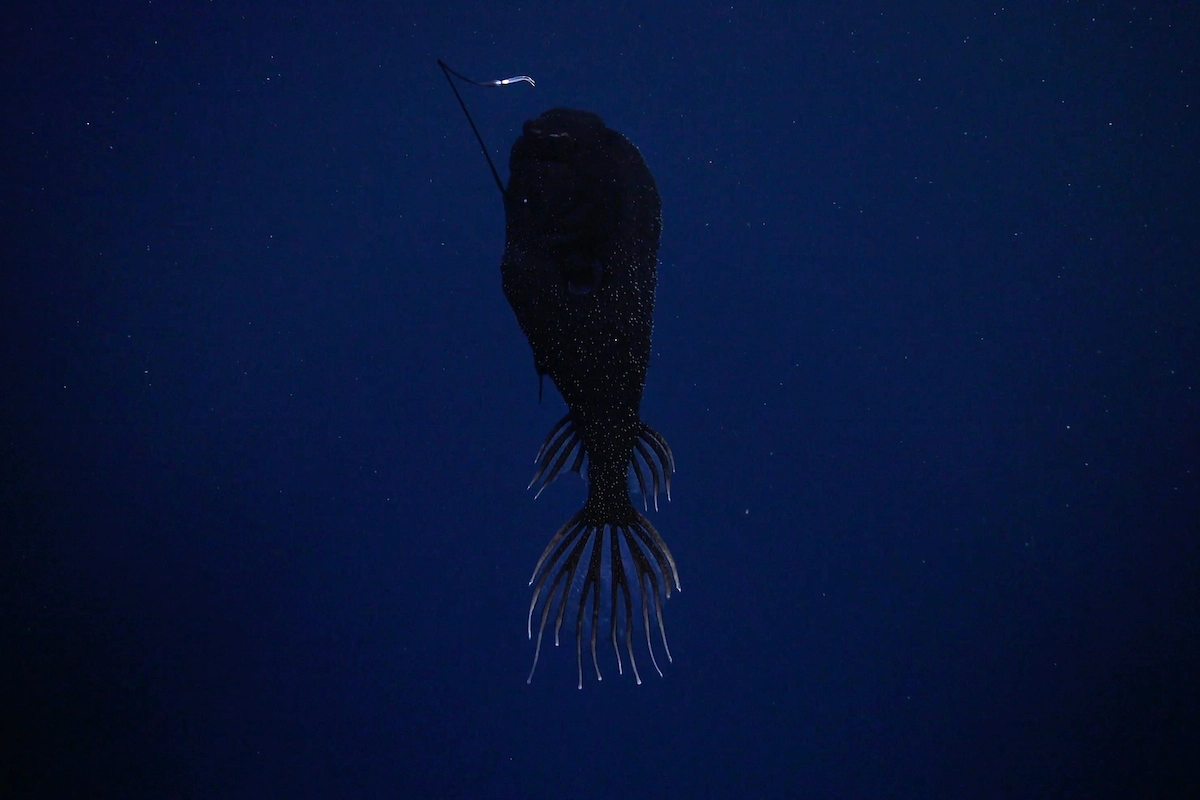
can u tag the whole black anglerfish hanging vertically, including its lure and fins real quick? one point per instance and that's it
(583, 227)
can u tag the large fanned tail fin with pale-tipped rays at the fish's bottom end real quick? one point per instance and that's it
(581, 561)
